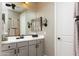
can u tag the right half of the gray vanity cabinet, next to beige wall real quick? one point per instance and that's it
(36, 48)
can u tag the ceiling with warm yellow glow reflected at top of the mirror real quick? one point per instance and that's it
(21, 6)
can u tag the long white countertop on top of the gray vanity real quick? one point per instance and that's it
(26, 38)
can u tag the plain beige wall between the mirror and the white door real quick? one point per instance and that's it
(46, 10)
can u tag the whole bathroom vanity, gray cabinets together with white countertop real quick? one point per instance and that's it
(28, 46)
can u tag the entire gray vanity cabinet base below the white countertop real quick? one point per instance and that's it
(26, 48)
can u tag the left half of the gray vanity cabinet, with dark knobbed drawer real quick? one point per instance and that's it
(15, 49)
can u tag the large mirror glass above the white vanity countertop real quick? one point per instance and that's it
(20, 18)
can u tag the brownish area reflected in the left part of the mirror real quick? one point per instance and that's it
(13, 23)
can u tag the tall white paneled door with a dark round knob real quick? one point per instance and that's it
(64, 28)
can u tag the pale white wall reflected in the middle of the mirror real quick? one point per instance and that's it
(24, 18)
